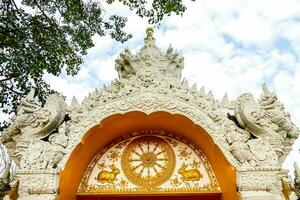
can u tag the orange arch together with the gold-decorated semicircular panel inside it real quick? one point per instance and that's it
(159, 154)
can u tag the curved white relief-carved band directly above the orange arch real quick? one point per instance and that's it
(150, 102)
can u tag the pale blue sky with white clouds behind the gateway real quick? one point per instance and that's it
(229, 46)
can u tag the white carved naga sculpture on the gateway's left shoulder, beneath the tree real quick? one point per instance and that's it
(33, 122)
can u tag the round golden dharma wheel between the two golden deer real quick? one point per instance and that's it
(148, 161)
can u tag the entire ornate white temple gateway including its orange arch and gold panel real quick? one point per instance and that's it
(149, 134)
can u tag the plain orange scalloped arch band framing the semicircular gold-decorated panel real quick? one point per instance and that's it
(113, 127)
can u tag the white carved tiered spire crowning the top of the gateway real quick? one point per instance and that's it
(151, 60)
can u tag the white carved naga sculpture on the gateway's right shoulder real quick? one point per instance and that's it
(267, 119)
